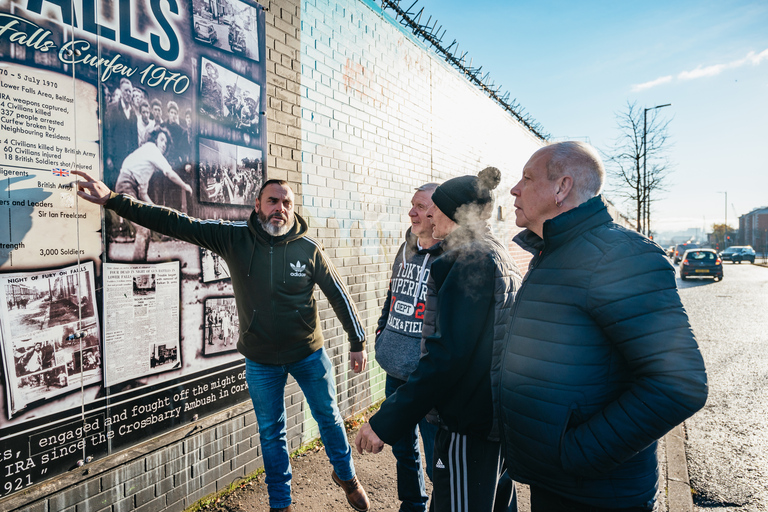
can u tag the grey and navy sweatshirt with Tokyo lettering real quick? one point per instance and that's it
(398, 339)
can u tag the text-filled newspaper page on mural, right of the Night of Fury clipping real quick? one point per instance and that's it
(142, 322)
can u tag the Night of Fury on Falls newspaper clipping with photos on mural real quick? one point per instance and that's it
(50, 334)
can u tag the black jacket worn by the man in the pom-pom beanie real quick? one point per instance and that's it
(469, 297)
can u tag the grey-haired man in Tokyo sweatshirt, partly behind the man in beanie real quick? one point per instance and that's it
(398, 342)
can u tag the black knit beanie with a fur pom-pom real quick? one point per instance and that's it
(466, 190)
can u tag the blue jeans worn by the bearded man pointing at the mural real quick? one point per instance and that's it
(266, 384)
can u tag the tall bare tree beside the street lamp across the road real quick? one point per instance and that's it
(638, 165)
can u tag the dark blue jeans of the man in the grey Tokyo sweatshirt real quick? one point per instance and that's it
(410, 476)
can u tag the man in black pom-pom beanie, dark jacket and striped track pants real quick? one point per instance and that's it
(470, 291)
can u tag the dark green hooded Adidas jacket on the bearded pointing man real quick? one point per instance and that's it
(273, 279)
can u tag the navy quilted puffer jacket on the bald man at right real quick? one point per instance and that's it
(600, 361)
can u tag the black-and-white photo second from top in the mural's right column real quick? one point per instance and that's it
(229, 99)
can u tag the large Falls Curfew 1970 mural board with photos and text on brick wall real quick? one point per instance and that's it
(100, 317)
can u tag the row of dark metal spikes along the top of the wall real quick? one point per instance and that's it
(431, 33)
